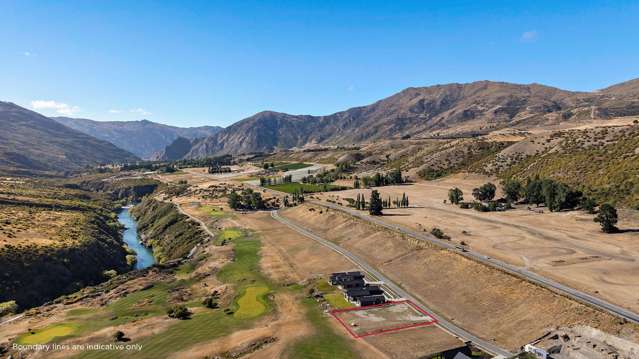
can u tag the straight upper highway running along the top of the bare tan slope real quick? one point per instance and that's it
(514, 270)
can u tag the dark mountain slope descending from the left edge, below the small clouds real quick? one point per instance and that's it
(33, 143)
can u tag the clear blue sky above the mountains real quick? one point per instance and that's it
(191, 63)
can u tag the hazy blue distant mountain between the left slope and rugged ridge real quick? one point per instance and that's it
(142, 138)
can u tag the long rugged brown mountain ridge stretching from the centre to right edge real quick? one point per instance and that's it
(435, 111)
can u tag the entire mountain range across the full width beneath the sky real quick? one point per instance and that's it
(31, 142)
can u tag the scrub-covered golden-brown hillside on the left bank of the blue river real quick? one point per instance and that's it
(55, 240)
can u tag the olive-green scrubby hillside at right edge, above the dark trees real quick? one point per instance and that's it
(602, 163)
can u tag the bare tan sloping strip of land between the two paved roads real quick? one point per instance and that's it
(483, 300)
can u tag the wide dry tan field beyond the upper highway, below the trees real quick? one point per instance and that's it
(566, 246)
